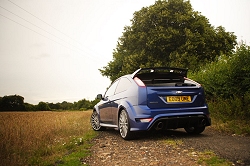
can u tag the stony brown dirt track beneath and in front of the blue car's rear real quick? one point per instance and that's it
(154, 148)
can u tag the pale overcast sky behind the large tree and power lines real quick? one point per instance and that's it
(51, 50)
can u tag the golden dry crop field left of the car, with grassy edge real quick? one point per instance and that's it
(41, 138)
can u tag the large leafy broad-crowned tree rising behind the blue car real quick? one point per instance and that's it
(168, 33)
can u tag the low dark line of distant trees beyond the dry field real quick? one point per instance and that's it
(16, 103)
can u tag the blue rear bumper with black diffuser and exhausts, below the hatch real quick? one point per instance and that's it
(171, 118)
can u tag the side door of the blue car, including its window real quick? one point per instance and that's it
(105, 108)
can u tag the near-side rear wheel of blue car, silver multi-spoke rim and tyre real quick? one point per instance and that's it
(124, 126)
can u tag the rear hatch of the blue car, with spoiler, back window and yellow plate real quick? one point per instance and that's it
(170, 88)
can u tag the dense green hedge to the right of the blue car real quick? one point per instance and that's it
(227, 85)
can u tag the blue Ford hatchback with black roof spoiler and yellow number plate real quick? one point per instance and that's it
(152, 99)
